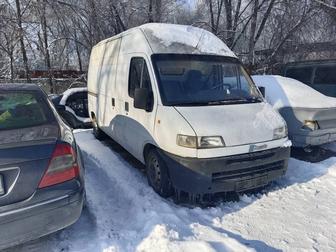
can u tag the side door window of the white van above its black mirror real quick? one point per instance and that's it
(138, 76)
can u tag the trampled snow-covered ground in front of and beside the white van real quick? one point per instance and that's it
(124, 214)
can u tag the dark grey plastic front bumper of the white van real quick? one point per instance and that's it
(224, 174)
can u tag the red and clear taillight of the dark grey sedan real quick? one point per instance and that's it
(62, 166)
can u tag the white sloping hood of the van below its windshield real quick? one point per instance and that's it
(238, 124)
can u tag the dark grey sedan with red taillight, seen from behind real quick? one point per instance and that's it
(41, 171)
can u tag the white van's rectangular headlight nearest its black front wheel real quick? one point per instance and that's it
(204, 142)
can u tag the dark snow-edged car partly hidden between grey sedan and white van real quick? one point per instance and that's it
(72, 105)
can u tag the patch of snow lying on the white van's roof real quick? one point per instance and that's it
(200, 39)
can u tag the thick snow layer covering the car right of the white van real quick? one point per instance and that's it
(288, 92)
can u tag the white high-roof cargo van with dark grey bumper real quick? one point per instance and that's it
(180, 101)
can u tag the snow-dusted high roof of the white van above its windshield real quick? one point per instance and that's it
(172, 38)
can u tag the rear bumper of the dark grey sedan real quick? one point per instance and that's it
(39, 219)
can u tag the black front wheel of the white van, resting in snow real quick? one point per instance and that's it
(157, 174)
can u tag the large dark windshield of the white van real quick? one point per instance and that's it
(196, 80)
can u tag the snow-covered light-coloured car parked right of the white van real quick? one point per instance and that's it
(310, 115)
